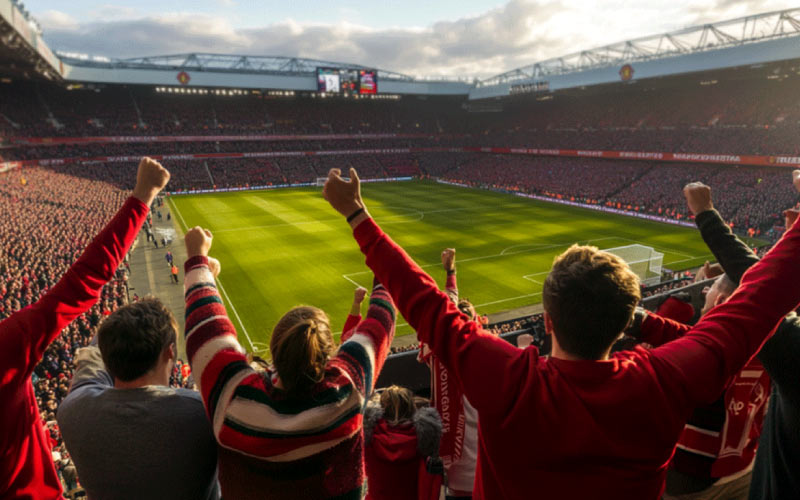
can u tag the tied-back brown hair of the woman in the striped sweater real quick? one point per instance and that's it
(301, 345)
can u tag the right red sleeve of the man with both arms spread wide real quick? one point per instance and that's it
(702, 362)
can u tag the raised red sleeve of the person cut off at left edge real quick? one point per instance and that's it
(25, 335)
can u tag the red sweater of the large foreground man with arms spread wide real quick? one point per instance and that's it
(585, 429)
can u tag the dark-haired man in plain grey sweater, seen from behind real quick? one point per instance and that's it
(131, 435)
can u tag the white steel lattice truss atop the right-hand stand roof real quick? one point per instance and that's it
(707, 37)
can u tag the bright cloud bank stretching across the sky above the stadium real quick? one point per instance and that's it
(518, 33)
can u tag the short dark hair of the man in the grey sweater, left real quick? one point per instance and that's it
(132, 338)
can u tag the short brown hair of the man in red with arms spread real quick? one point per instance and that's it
(590, 296)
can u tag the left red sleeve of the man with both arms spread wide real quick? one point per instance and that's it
(459, 343)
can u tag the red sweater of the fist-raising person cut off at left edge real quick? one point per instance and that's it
(26, 465)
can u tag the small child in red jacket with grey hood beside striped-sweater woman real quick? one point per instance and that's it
(398, 442)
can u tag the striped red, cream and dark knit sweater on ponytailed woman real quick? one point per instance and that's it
(273, 446)
